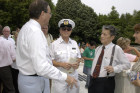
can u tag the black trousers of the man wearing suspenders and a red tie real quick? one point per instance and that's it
(101, 85)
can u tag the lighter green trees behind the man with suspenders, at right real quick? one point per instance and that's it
(123, 23)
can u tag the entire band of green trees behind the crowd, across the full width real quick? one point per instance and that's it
(14, 13)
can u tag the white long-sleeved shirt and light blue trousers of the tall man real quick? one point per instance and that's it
(33, 58)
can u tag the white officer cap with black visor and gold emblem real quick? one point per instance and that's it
(66, 22)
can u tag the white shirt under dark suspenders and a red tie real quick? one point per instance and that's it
(120, 61)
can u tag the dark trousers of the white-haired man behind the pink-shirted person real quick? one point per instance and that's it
(15, 78)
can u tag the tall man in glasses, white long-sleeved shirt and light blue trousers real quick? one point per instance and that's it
(33, 59)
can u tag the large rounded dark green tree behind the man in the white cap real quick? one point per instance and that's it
(84, 17)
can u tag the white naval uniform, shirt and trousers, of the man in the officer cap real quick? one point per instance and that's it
(61, 52)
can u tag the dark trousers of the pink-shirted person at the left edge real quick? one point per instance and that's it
(6, 79)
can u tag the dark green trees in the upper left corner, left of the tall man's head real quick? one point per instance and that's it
(13, 14)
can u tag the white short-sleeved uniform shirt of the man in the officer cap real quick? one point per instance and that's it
(62, 51)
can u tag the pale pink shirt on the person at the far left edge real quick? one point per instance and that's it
(7, 52)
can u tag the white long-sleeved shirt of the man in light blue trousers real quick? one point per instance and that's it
(33, 53)
